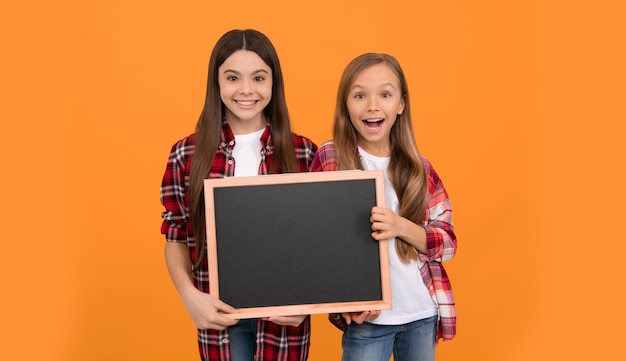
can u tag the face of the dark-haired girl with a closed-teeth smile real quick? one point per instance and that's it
(245, 83)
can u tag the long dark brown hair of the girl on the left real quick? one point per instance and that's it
(209, 126)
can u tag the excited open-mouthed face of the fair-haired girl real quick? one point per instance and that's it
(374, 101)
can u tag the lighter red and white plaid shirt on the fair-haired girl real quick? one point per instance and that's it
(441, 241)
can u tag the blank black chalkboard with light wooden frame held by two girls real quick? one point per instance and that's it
(301, 243)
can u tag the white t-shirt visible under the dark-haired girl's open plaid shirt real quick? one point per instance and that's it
(247, 153)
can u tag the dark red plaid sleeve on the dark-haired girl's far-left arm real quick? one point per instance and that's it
(173, 192)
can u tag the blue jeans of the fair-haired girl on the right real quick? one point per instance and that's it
(413, 341)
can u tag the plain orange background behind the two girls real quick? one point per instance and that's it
(518, 104)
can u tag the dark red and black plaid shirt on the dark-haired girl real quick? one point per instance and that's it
(274, 342)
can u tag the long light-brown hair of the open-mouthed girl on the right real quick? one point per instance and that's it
(406, 170)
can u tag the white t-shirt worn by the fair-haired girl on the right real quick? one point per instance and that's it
(410, 299)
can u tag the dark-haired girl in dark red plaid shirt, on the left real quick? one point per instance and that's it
(243, 130)
